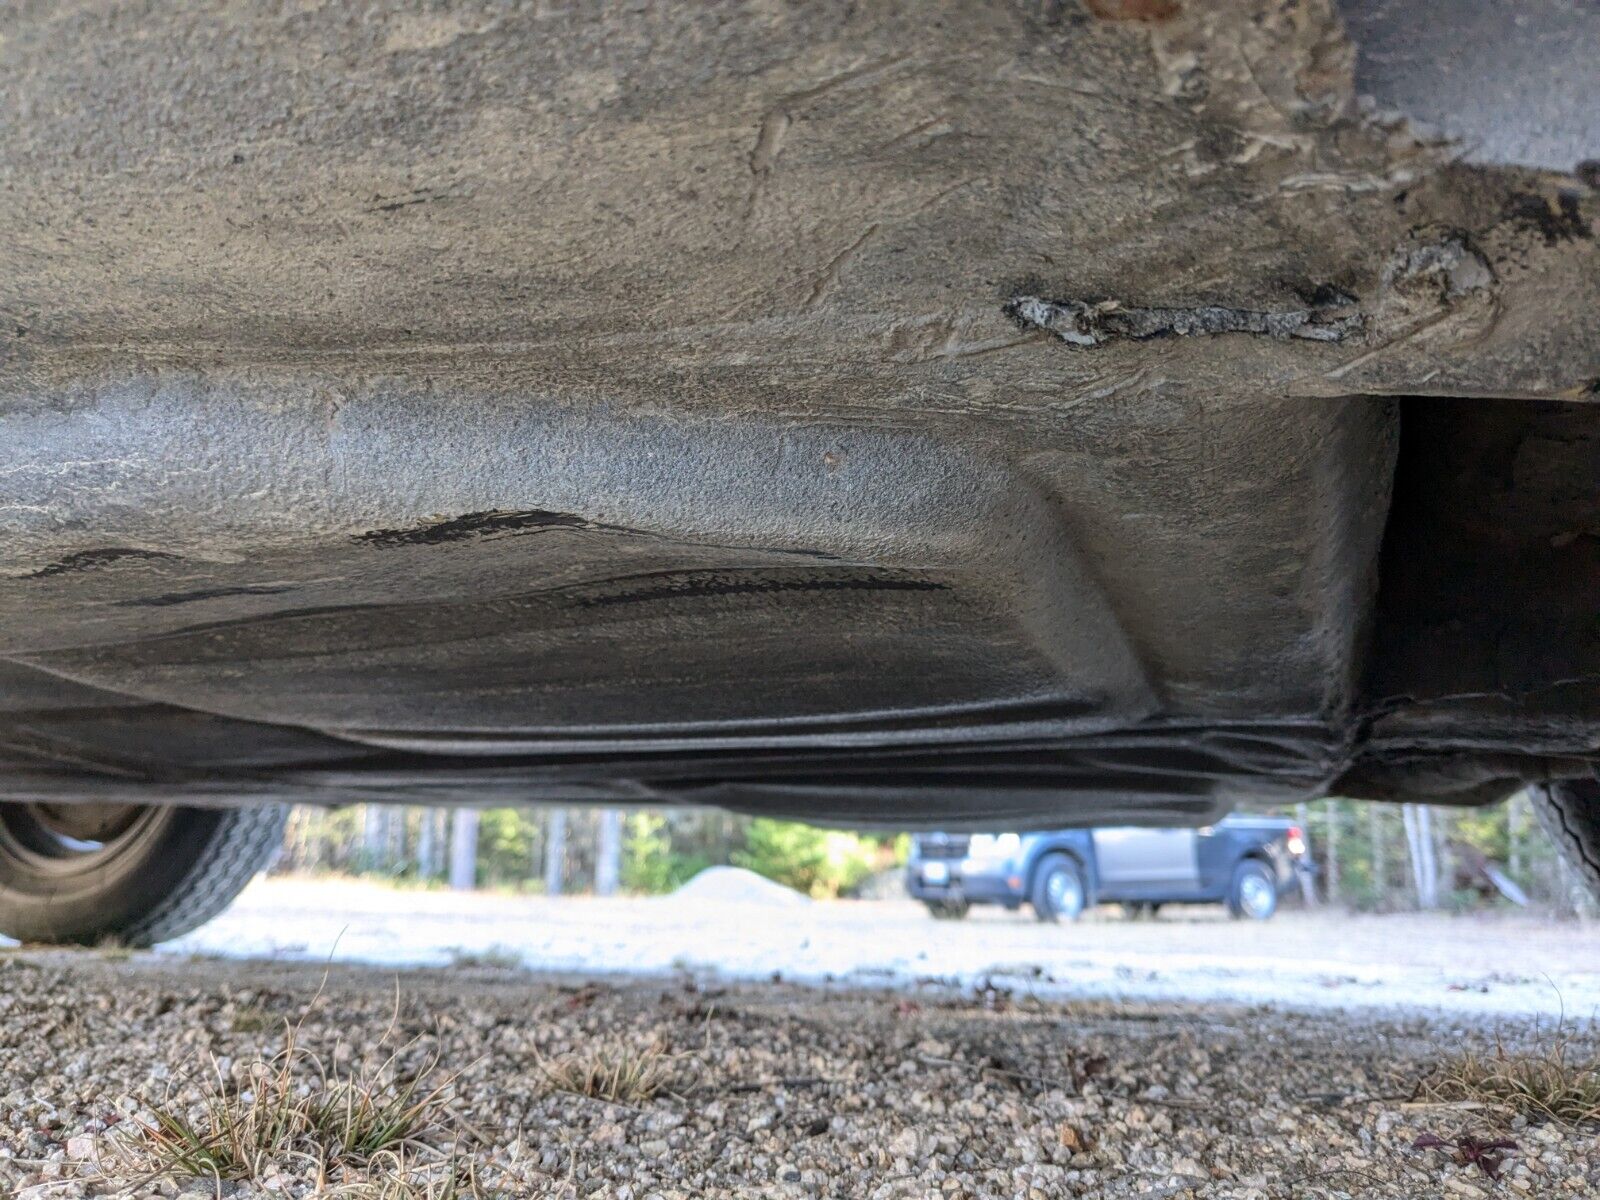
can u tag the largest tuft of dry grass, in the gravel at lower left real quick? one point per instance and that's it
(292, 1108)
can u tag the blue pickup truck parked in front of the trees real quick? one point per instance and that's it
(1242, 862)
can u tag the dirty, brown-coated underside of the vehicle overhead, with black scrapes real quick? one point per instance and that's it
(882, 414)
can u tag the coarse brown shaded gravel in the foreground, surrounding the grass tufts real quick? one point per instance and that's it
(774, 1090)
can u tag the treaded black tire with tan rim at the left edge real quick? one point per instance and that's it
(134, 874)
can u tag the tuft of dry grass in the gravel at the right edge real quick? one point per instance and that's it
(1546, 1084)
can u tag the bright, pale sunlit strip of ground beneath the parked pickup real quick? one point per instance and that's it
(1484, 966)
